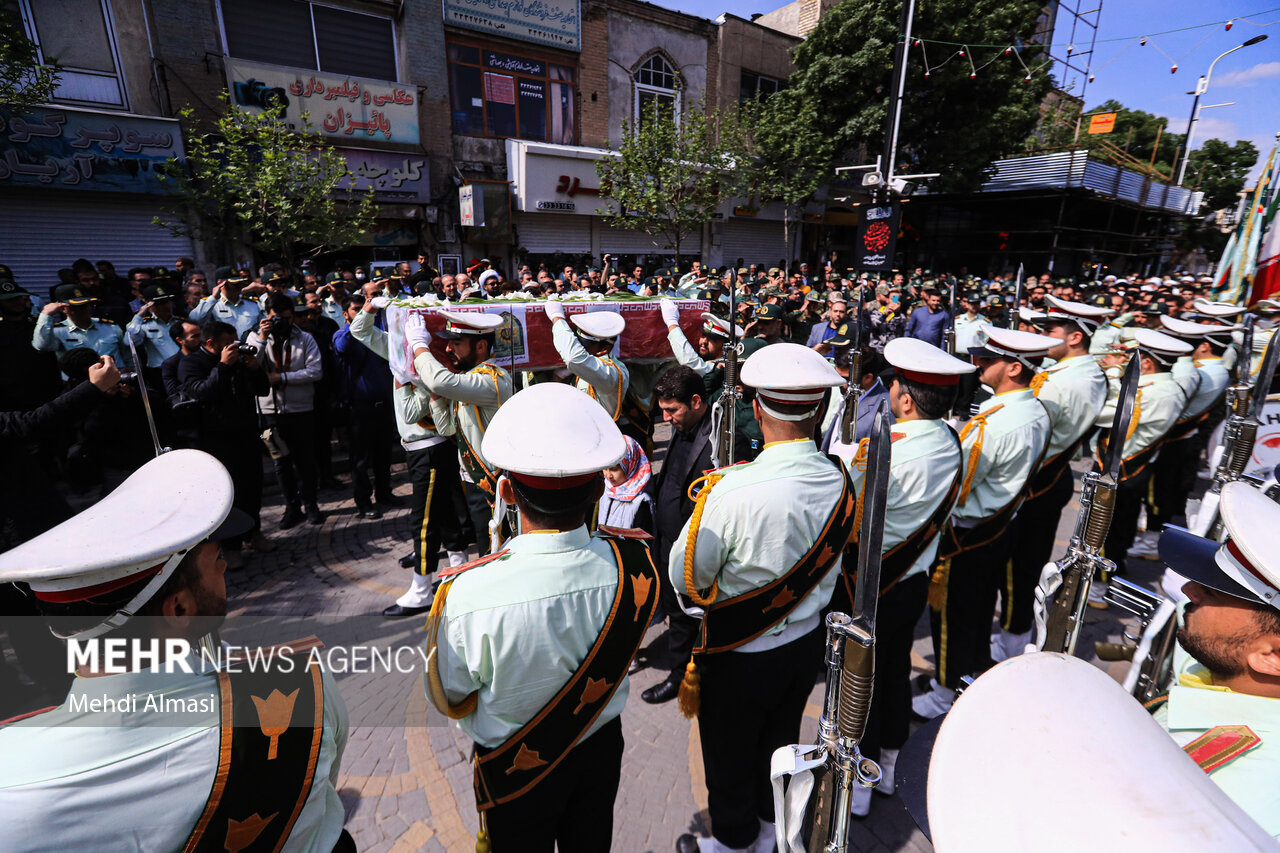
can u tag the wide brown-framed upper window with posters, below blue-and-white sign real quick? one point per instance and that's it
(506, 95)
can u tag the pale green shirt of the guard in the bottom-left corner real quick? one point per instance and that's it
(122, 782)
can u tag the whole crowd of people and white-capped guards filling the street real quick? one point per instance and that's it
(994, 387)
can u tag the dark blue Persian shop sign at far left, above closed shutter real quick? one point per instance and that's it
(83, 150)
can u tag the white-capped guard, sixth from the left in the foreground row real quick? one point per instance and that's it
(1158, 408)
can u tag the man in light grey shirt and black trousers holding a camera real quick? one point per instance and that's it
(294, 368)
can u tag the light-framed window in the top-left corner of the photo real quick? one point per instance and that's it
(80, 37)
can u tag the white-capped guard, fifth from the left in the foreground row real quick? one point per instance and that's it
(1073, 390)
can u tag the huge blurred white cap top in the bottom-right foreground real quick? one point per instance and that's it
(1039, 719)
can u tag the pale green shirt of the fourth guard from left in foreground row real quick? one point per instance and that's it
(1016, 434)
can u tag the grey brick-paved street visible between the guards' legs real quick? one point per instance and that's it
(406, 777)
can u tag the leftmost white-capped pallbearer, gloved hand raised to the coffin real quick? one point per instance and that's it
(464, 402)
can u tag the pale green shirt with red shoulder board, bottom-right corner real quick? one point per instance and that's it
(1196, 705)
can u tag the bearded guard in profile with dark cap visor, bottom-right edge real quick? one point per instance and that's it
(1224, 706)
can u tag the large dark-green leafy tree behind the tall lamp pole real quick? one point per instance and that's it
(952, 124)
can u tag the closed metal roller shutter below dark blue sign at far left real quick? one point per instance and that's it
(42, 232)
